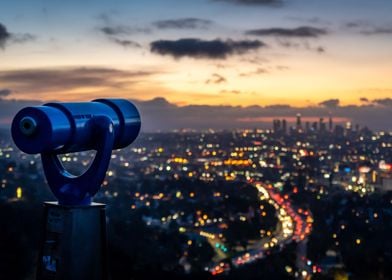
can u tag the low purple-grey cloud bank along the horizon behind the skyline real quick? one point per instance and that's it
(160, 115)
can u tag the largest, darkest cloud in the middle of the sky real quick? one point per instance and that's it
(197, 48)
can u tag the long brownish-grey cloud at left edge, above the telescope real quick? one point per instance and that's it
(62, 79)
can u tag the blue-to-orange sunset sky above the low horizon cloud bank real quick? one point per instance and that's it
(201, 52)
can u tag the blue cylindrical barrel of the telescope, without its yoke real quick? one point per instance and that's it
(65, 127)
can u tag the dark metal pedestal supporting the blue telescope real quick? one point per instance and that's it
(74, 243)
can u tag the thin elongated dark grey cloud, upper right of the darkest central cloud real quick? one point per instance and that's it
(302, 32)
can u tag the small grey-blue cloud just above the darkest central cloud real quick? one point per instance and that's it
(183, 23)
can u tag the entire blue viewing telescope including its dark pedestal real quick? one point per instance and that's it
(75, 227)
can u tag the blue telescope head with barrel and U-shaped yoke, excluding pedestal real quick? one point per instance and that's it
(58, 128)
